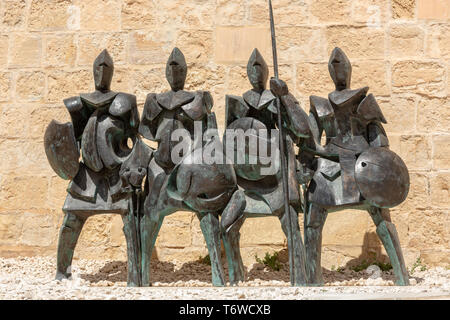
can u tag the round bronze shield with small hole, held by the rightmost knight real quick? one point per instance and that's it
(382, 177)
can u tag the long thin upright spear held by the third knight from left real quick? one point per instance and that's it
(282, 150)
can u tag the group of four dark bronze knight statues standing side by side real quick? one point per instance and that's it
(112, 170)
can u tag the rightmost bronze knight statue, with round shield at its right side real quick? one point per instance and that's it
(354, 169)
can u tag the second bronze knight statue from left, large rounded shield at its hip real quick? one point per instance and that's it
(187, 184)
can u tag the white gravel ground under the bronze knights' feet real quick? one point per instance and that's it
(33, 278)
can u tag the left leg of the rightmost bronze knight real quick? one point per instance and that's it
(315, 217)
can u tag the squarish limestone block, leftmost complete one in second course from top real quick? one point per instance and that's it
(25, 51)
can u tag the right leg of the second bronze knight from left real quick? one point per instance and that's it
(209, 223)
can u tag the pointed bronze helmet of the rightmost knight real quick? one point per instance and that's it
(340, 69)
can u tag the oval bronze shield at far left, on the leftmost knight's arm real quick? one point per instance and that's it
(61, 149)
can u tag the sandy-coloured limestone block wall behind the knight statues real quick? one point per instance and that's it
(400, 48)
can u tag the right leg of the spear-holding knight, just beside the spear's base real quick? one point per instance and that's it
(297, 251)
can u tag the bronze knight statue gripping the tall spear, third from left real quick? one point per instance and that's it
(260, 191)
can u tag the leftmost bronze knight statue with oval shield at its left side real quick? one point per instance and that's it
(103, 125)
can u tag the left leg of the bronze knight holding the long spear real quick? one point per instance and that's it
(230, 223)
